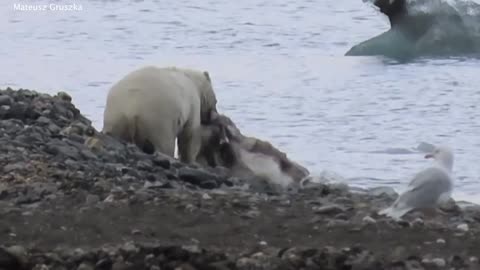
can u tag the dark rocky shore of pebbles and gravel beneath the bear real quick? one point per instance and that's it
(71, 198)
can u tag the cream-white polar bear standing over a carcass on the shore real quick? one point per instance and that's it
(155, 106)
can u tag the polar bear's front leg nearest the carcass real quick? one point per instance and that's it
(189, 142)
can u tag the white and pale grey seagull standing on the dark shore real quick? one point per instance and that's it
(428, 187)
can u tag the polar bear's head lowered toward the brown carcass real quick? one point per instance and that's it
(208, 99)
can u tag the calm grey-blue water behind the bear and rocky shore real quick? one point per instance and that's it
(278, 70)
